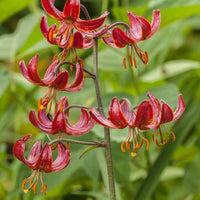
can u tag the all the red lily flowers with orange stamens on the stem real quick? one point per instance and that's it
(52, 115)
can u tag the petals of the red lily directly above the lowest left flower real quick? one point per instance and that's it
(59, 123)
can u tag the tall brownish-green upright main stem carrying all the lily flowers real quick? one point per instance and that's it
(106, 130)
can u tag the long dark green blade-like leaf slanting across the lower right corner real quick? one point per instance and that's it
(181, 131)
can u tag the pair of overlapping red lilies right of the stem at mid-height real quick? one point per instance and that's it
(150, 114)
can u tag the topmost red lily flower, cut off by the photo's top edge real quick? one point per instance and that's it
(69, 18)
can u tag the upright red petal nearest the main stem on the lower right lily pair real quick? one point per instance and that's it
(116, 115)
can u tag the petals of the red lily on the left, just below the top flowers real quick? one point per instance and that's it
(59, 81)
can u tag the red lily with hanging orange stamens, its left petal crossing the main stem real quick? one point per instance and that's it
(121, 115)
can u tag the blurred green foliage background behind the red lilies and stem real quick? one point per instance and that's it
(171, 172)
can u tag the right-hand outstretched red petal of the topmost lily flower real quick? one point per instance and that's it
(90, 25)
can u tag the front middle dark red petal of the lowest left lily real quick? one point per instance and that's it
(44, 161)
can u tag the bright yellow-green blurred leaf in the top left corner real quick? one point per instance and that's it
(10, 7)
